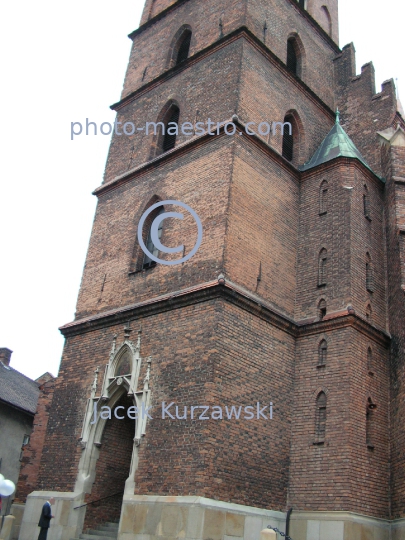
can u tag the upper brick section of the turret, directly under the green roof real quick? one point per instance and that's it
(348, 236)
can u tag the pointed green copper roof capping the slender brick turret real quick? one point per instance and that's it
(336, 144)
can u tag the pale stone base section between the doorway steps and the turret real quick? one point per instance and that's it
(193, 518)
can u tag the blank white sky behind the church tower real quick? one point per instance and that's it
(63, 62)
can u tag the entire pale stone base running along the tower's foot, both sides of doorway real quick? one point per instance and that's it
(197, 518)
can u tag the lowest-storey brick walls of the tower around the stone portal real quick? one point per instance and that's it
(209, 353)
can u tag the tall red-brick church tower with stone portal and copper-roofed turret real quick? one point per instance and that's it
(295, 296)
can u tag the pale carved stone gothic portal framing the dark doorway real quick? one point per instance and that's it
(119, 385)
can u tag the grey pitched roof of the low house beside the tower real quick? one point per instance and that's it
(18, 390)
